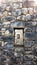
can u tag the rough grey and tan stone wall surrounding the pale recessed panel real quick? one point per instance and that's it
(18, 14)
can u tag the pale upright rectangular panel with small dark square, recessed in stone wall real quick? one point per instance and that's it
(19, 36)
